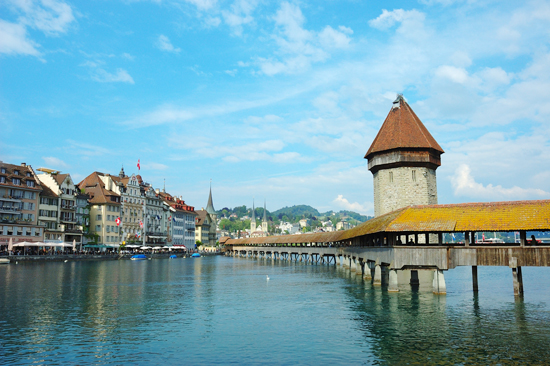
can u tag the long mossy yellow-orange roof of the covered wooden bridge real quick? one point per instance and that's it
(491, 216)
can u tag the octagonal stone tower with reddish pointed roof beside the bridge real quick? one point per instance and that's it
(403, 159)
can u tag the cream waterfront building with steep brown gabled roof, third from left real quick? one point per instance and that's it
(105, 207)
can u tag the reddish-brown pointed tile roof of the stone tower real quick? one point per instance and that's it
(402, 129)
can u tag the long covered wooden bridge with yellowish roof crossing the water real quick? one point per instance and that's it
(411, 239)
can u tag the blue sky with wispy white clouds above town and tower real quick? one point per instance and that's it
(277, 100)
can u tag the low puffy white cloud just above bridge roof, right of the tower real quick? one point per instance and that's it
(464, 184)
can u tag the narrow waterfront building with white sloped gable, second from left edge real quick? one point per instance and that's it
(62, 186)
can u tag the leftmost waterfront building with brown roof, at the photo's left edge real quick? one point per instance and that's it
(19, 197)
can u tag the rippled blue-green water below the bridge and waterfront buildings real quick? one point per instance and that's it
(222, 310)
